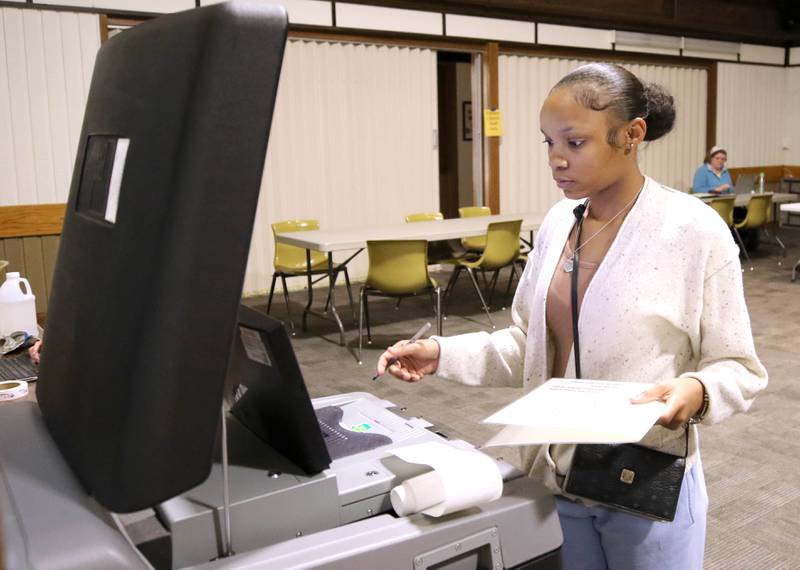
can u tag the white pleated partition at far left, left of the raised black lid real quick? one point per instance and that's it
(46, 62)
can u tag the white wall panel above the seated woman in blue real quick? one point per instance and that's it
(751, 124)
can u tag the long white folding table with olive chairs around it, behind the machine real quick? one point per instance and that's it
(356, 238)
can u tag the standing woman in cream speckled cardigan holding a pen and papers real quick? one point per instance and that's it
(661, 301)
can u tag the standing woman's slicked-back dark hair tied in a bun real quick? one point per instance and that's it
(607, 86)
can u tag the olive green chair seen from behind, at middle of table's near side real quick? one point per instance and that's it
(397, 269)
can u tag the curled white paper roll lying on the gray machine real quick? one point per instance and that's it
(460, 478)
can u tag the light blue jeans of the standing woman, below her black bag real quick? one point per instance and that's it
(597, 538)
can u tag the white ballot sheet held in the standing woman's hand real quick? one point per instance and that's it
(576, 411)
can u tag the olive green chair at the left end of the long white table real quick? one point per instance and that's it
(290, 261)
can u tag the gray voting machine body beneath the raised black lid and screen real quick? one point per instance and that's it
(340, 518)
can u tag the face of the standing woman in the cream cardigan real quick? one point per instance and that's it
(580, 157)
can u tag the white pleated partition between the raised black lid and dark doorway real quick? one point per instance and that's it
(351, 143)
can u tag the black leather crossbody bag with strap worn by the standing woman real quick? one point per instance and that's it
(627, 477)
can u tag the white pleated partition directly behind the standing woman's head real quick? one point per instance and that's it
(526, 184)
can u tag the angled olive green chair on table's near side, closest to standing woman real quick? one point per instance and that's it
(502, 250)
